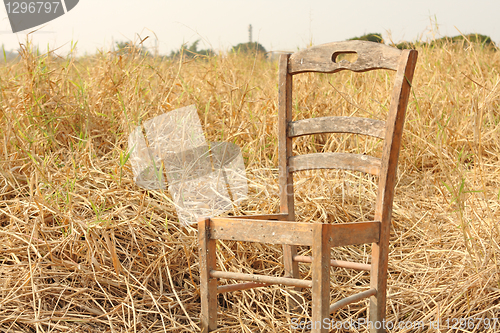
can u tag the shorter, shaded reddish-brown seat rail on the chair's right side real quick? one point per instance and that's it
(345, 234)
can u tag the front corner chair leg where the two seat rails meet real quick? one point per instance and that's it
(321, 280)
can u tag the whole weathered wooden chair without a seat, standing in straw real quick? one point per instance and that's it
(281, 228)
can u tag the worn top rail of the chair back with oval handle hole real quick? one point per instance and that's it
(321, 58)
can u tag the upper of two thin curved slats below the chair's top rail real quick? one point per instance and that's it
(354, 125)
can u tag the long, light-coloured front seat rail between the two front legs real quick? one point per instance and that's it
(273, 232)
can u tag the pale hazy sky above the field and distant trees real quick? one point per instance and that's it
(279, 25)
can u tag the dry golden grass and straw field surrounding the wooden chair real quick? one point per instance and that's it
(84, 249)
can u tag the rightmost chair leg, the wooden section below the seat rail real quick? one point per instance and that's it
(379, 282)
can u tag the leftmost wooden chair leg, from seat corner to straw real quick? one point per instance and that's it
(208, 285)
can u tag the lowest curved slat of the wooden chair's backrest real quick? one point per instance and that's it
(343, 161)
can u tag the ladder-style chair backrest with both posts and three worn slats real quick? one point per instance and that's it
(325, 59)
